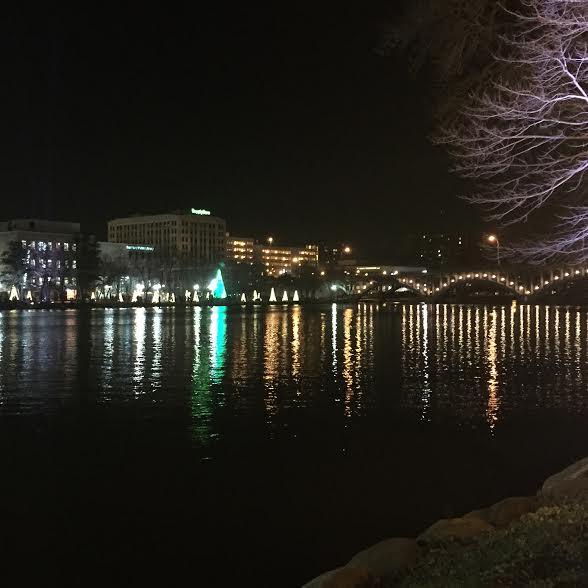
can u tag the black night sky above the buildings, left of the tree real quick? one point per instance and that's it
(283, 120)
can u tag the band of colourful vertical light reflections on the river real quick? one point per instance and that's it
(472, 364)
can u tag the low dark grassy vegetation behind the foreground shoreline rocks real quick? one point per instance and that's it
(544, 549)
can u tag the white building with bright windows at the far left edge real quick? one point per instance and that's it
(44, 258)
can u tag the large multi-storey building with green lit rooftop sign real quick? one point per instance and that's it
(194, 234)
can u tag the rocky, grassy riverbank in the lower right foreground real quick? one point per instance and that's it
(539, 540)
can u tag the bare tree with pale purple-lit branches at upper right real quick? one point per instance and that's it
(523, 138)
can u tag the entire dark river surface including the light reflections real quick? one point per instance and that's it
(262, 446)
